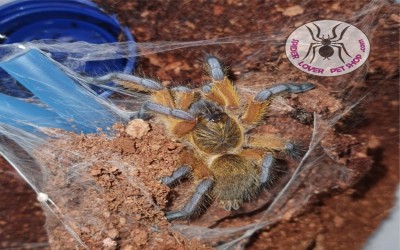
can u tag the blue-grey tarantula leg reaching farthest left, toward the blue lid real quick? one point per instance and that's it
(129, 81)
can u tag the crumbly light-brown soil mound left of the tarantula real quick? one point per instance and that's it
(110, 187)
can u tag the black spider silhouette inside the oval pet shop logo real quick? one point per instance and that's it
(326, 45)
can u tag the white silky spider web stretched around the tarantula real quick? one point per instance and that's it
(20, 148)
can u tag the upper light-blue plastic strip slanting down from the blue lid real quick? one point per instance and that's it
(52, 86)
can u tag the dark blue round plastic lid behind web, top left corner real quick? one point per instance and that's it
(64, 21)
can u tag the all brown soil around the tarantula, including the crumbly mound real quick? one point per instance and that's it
(343, 207)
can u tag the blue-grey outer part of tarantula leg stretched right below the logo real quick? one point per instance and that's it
(291, 88)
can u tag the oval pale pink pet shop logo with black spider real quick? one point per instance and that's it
(327, 48)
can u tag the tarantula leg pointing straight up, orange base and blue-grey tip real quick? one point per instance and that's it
(221, 90)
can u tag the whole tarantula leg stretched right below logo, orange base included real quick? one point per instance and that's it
(257, 107)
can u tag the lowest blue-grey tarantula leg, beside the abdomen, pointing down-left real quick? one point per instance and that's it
(195, 202)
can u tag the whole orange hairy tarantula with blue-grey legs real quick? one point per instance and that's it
(230, 164)
